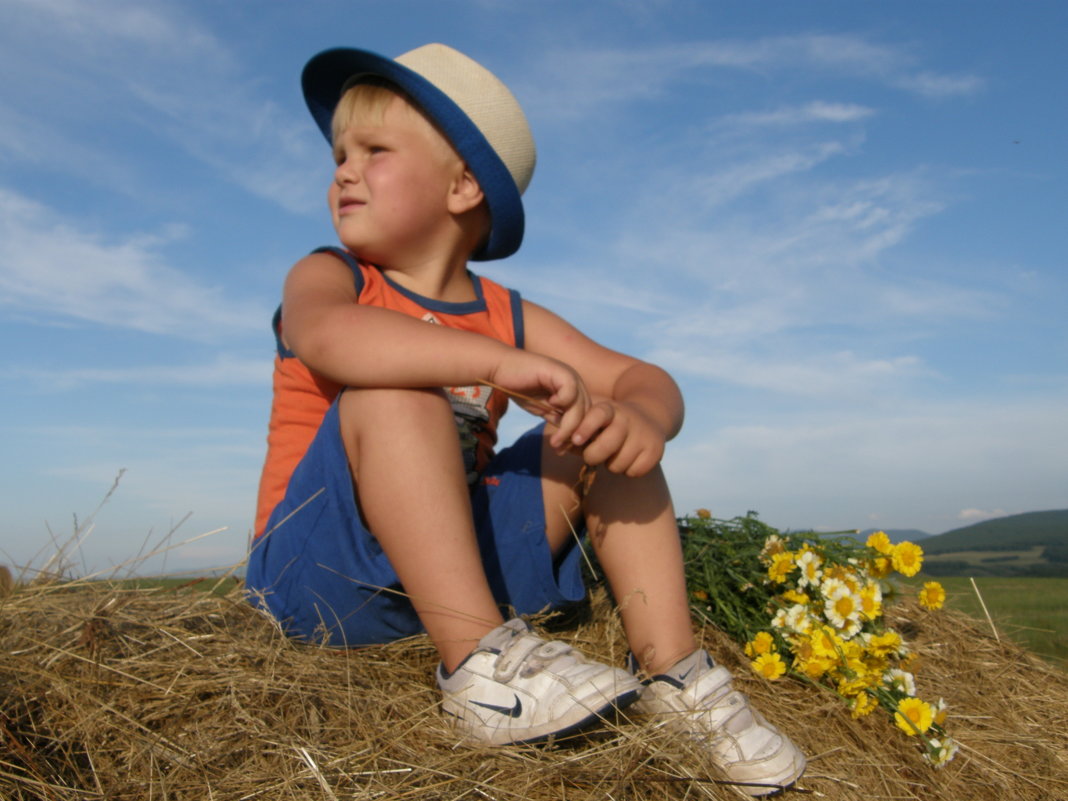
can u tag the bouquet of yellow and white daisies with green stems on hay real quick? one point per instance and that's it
(811, 606)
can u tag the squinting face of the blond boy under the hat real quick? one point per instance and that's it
(389, 196)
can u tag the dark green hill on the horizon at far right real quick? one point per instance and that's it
(1033, 544)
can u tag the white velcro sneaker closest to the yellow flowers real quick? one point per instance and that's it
(696, 698)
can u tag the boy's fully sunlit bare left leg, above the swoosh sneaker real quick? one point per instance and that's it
(403, 451)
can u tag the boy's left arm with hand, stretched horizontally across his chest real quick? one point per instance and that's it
(367, 347)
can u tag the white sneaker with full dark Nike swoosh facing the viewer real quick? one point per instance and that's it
(516, 687)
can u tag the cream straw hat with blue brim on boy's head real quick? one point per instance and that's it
(474, 109)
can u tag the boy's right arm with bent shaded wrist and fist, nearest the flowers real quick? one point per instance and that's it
(637, 406)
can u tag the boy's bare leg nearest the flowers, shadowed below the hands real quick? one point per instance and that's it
(632, 526)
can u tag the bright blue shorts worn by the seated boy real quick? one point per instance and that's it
(325, 579)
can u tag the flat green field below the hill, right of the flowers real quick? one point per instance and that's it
(1032, 611)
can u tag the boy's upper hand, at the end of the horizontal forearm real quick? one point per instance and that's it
(548, 389)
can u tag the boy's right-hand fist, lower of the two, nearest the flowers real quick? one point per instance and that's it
(620, 436)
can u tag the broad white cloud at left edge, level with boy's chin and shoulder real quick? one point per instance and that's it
(56, 272)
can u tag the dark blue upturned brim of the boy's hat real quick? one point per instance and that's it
(326, 75)
